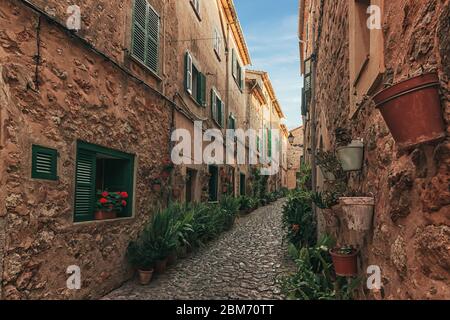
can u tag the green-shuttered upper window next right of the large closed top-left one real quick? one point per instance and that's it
(194, 81)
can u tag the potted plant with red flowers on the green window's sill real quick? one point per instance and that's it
(109, 204)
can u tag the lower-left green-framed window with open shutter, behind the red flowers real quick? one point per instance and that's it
(101, 169)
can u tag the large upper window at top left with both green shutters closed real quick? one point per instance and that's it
(145, 35)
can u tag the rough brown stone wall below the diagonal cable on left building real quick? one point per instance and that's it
(81, 96)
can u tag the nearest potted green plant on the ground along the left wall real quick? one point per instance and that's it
(143, 259)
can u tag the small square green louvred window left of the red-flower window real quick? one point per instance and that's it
(44, 163)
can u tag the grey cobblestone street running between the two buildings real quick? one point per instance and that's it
(244, 263)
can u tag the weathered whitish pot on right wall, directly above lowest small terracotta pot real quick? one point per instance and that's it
(358, 212)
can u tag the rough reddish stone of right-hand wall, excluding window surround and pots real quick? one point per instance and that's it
(410, 239)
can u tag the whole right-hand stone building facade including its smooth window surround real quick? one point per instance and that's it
(410, 237)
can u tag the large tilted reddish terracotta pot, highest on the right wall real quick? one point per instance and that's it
(412, 110)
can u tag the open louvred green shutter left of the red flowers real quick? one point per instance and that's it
(85, 196)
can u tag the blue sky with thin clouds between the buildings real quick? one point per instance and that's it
(270, 28)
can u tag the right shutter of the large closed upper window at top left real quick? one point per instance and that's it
(152, 58)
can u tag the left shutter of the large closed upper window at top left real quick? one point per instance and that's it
(139, 32)
